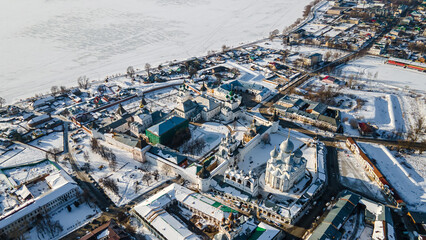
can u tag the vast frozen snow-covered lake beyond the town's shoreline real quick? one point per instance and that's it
(52, 42)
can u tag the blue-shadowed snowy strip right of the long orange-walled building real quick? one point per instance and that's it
(404, 177)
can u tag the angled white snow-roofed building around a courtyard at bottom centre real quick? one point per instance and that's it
(152, 212)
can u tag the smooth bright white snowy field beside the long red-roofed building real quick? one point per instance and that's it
(388, 75)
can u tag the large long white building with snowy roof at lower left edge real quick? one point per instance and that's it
(44, 189)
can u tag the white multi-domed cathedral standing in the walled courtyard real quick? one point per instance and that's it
(285, 167)
